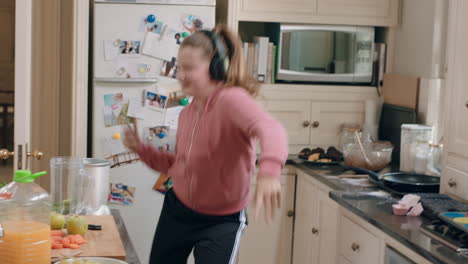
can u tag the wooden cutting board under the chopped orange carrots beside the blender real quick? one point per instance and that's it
(103, 243)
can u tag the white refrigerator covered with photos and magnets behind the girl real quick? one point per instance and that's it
(126, 64)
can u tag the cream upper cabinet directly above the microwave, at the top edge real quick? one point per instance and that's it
(345, 12)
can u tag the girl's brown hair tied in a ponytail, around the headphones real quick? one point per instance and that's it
(236, 73)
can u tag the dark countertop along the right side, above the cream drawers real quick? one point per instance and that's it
(375, 206)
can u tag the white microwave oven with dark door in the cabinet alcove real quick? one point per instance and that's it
(325, 53)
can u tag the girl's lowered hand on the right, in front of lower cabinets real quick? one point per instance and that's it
(268, 194)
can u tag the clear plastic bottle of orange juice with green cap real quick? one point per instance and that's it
(24, 221)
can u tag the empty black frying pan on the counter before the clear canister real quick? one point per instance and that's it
(411, 182)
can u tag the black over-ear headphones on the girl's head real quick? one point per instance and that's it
(220, 62)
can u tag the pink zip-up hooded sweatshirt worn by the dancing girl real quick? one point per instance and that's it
(214, 157)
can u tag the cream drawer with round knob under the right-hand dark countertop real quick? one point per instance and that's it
(356, 244)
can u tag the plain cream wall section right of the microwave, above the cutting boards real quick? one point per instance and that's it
(421, 38)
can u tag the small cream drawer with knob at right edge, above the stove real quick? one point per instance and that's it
(454, 181)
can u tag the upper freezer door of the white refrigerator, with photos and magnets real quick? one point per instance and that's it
(119, 34)
